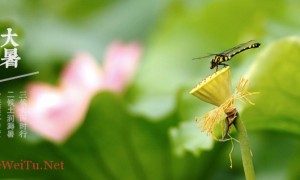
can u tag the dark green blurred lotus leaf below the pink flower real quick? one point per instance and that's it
(108, 146)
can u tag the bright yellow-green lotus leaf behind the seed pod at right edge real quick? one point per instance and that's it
(275, 74)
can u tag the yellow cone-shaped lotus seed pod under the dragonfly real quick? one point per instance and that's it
(216, 88)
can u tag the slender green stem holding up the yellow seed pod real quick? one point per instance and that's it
(245, 149)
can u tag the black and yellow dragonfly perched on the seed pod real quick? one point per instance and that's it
(220, 58)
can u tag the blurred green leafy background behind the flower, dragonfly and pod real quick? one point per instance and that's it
(150, 132)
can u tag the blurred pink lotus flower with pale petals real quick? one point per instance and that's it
(55, 112)
